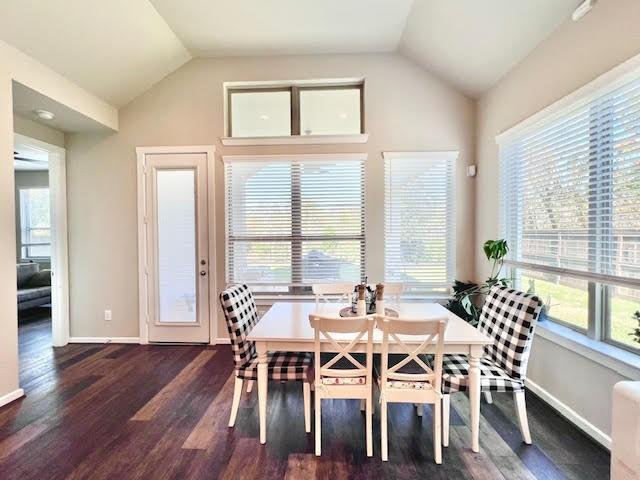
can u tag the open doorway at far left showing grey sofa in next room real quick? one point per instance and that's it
(41, 246)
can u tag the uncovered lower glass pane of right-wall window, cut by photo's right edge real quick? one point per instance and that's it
(624, 303)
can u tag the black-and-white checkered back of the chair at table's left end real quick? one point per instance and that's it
(241, 314)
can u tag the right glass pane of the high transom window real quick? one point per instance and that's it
(330, 112)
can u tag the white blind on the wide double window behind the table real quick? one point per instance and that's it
(295, 220)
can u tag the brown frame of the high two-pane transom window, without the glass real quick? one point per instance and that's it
(294, 88)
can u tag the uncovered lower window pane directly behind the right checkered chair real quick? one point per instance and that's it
(565, 299)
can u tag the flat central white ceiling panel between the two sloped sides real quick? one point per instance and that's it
(277, 27)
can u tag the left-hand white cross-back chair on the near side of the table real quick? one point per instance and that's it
(343, 383)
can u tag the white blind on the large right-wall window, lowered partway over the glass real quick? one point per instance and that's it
(570, 186)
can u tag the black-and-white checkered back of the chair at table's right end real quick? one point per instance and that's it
(509, 318)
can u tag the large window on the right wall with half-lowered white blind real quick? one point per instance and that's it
(570, 189)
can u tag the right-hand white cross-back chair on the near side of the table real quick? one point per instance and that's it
(423, 383)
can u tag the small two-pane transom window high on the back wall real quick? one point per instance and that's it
(295, 109)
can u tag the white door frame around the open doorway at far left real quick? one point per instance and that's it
(59, 239)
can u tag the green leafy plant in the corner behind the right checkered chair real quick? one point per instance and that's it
(466, 294)
